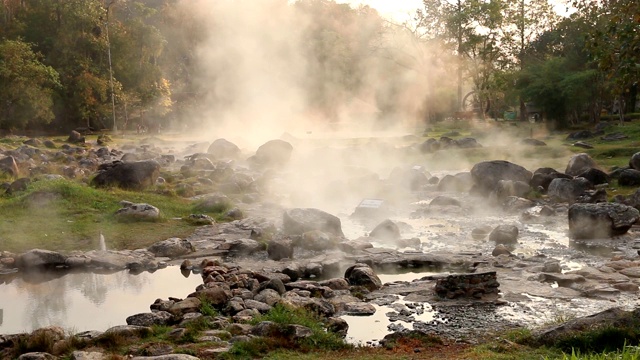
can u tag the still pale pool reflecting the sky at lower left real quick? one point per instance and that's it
(86, 301)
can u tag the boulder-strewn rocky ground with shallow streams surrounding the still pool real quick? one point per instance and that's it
(529, 247)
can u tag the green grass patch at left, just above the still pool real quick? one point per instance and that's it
(65, 215)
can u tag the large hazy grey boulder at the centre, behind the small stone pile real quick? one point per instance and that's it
(298, 221)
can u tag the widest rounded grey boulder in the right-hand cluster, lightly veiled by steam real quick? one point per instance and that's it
(487, 174)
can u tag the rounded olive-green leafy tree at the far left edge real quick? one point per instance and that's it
(26, 94)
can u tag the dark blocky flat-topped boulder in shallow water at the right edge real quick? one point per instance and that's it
(601, 220)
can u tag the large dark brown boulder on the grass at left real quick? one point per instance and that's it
(134, 175)
